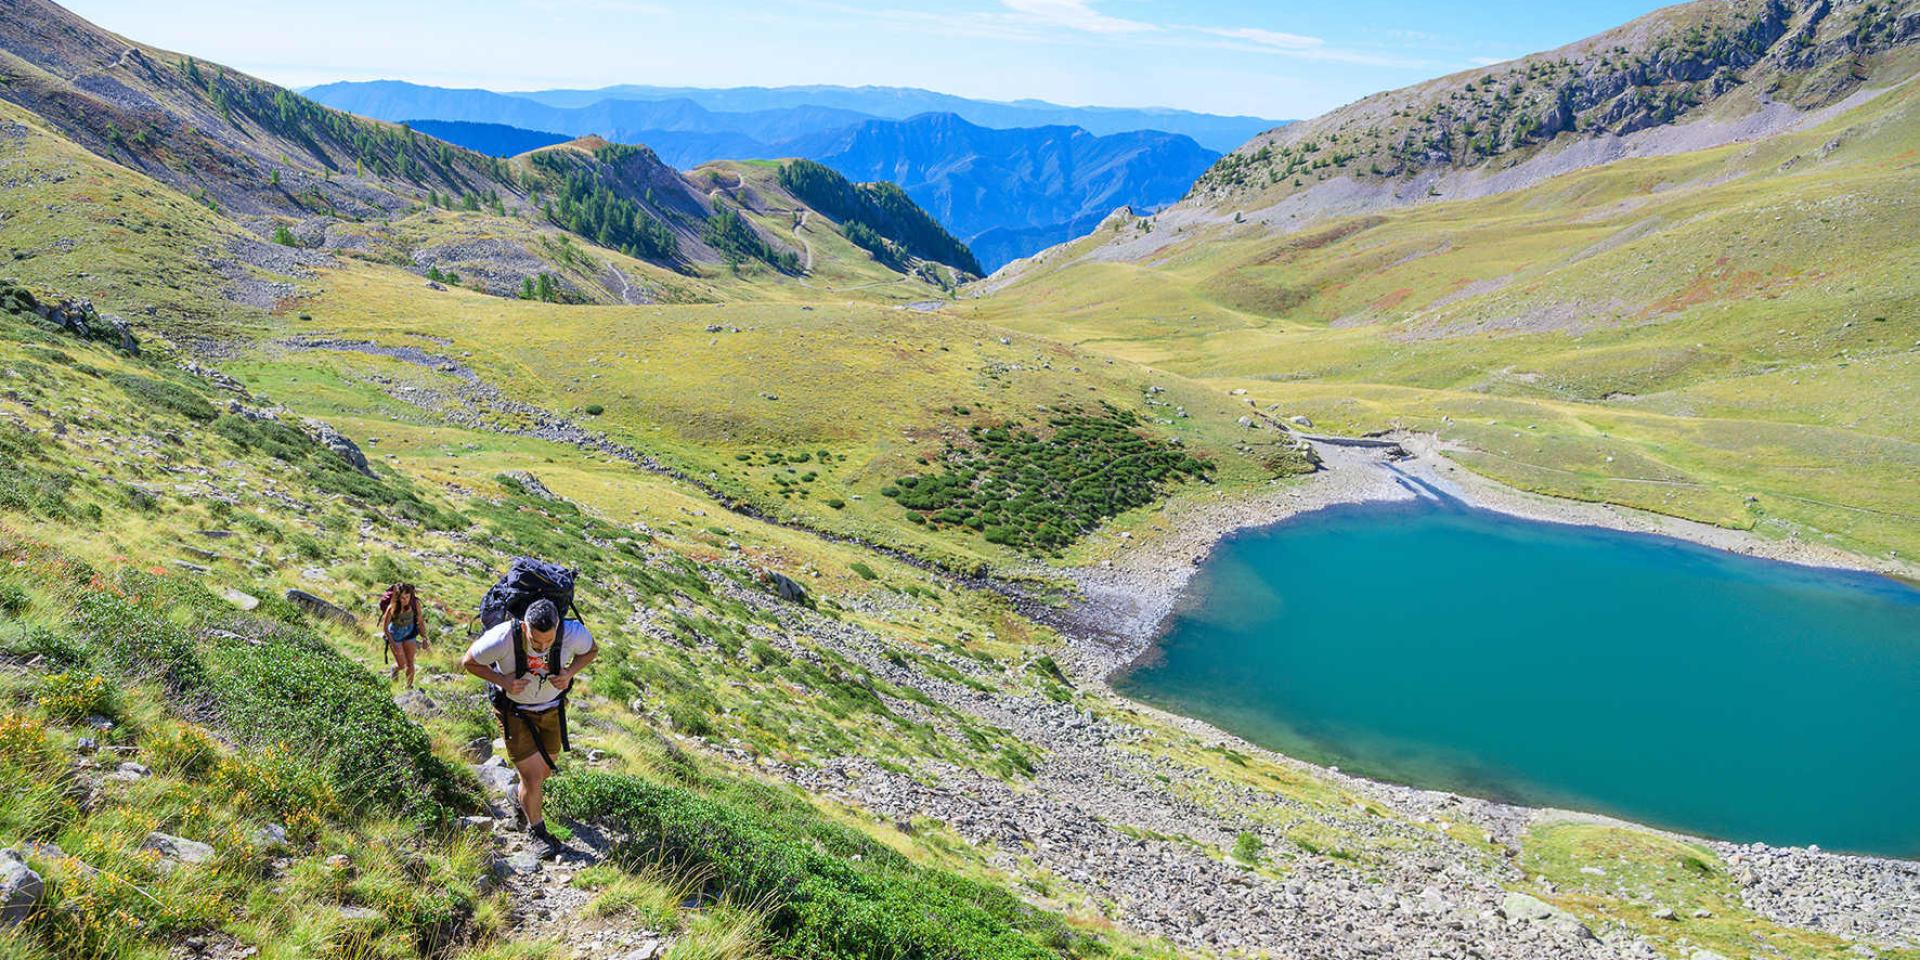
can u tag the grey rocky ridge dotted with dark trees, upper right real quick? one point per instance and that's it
(1712, 62)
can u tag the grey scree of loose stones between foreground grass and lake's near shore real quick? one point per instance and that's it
(1141, 836)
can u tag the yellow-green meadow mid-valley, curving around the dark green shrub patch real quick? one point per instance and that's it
(876, 389)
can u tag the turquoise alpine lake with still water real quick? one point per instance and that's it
(1568, 667)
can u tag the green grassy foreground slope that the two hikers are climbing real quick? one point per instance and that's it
(130, 531)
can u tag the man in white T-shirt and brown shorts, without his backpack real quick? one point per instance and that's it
(533, 661)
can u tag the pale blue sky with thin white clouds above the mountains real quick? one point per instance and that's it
(1278, 60)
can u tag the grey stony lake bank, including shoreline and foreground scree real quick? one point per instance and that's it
(1097, 794)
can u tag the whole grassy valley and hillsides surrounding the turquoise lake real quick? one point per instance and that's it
(865, 535)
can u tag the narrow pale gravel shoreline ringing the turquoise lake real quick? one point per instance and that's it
(1130, 598)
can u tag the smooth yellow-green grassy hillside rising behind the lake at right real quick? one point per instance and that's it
(1677, 333)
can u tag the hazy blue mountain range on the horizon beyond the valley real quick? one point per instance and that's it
(1009, 180)
